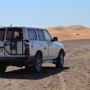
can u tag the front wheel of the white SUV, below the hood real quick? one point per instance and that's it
(60, 60)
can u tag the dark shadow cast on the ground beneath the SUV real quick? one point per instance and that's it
(23, 74)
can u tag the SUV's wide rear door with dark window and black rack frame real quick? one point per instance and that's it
(14, 42)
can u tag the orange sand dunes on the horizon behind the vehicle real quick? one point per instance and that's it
(70, 32)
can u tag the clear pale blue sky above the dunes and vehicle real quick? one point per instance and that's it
(44, 13)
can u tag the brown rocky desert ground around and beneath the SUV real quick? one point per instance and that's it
(74, 76)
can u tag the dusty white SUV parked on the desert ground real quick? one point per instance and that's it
(29, 47)
